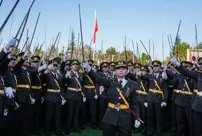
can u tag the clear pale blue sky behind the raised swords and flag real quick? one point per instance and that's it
(135, 19)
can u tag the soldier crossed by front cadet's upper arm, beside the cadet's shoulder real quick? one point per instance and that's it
(102, 92)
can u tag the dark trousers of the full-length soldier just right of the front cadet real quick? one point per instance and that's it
(154, 118)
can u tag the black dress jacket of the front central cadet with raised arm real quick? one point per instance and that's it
(112, 116)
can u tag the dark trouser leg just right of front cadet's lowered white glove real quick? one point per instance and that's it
(143, 116)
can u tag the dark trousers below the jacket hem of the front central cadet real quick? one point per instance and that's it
(110, 130)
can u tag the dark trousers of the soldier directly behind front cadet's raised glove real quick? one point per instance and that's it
(89, 111)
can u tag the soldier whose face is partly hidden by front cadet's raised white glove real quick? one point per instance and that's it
(90, 92)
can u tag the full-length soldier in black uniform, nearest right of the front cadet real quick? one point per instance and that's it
(156, 98)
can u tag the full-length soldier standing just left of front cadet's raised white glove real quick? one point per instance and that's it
(74, 95)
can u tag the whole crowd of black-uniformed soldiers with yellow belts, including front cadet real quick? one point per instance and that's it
(60, 95)
